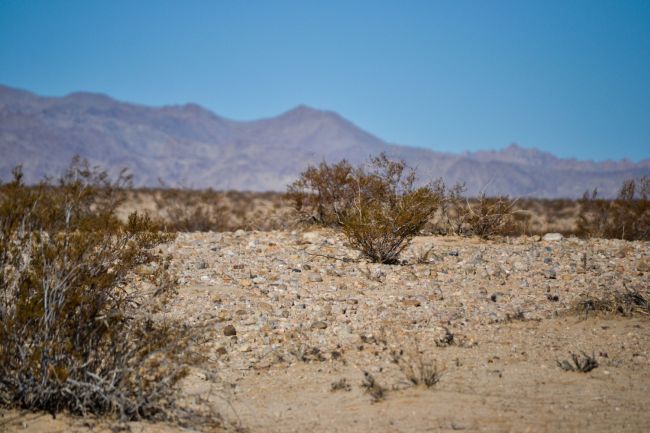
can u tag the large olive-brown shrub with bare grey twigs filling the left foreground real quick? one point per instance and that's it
(74, 334)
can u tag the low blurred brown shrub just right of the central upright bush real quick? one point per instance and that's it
(484, 216)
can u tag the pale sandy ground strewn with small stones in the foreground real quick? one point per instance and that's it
(300, 335)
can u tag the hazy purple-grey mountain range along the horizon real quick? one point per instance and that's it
(189, 145)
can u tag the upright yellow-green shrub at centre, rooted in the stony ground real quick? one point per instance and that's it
(387, 210)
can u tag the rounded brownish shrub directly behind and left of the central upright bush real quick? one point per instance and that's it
(324, 194)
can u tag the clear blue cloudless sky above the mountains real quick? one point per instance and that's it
(570, 77)
